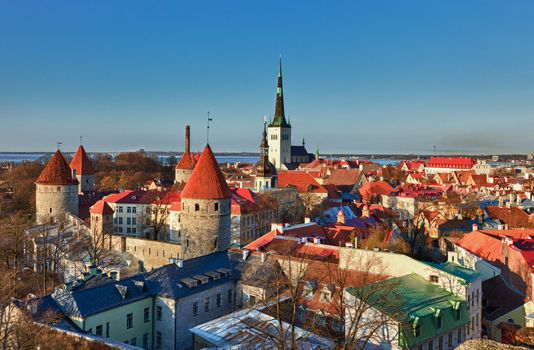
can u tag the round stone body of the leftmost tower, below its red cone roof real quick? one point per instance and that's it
(54, 201)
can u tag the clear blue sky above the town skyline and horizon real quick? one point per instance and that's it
(359, 76)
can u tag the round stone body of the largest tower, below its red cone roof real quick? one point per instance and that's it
(205, 226)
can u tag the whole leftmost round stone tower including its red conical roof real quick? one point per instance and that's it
(56, 191)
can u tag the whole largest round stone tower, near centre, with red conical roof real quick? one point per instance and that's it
(205, 212)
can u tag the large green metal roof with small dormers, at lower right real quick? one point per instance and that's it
(412, 301)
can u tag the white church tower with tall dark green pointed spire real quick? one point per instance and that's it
(279, 133)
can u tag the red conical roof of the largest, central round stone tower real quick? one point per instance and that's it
(206, 180)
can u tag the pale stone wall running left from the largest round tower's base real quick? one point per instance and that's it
(151, 254)
